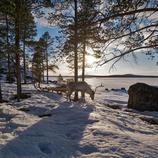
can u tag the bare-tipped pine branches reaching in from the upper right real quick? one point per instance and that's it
(132, 29)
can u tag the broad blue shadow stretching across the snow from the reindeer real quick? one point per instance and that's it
(57, 136)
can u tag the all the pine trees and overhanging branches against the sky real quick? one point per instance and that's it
(129, 26)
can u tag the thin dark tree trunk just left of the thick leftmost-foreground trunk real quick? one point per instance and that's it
(8, 55)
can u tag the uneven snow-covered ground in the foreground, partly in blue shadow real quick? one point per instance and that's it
(47, 126)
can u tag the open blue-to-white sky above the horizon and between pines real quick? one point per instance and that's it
(143, 66)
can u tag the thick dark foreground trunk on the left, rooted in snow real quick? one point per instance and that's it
(17, 46)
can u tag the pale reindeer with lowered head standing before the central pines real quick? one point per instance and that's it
(83, 87)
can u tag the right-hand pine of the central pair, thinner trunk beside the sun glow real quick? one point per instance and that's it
(90, 31)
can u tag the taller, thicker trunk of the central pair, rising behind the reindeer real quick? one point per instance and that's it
(75, 51)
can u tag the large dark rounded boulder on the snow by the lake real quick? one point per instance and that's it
(143, 97)
